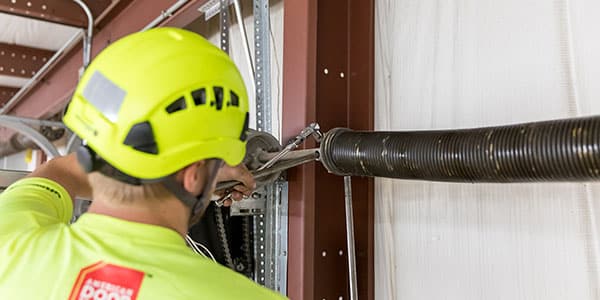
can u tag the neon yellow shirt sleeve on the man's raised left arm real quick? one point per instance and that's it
(31, 203)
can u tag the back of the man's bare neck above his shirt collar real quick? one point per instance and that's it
(169, 213)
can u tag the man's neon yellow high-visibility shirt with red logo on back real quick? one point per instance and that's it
(100, 257)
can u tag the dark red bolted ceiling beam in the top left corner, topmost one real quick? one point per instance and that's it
(55, 11)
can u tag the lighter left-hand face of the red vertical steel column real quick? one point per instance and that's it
(299, 109)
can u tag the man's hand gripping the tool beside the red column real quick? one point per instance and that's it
(238, 173)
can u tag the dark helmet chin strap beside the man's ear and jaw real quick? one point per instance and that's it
(195, 203)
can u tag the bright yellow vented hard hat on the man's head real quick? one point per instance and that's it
(156, 101)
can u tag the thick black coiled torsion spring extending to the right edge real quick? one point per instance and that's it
(558, 150)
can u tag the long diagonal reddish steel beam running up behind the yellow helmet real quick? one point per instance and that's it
(57, 86)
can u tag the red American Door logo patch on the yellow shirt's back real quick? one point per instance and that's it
(102, 281)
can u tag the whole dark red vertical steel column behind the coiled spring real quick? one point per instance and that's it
(328, 74)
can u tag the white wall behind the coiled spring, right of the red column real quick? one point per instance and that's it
(459, 64)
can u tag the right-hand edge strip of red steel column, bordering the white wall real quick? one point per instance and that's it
(361, 115)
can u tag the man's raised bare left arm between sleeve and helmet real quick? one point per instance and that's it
(67, 172)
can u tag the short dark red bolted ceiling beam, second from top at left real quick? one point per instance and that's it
(22, 61)
